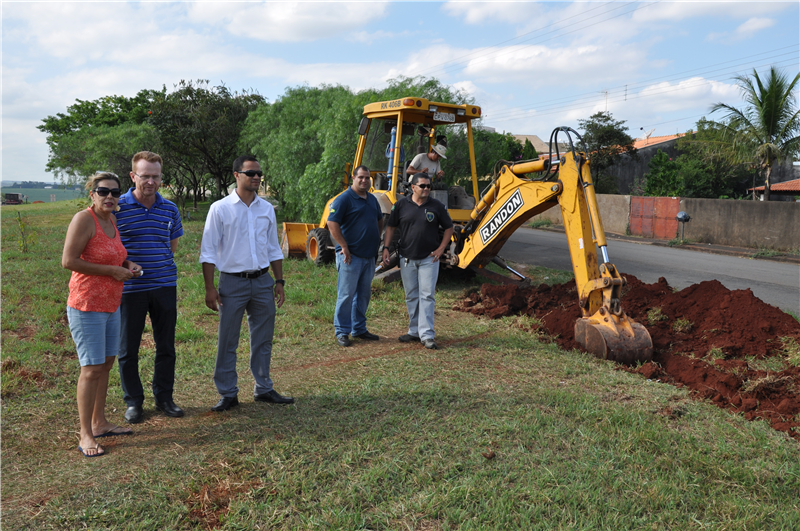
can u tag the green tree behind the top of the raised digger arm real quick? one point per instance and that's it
(607, 141)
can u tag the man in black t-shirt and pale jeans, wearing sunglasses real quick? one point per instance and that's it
(418, 218)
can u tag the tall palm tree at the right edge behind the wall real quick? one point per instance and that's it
(769, 124)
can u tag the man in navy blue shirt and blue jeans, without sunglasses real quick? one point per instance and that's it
(355, 223)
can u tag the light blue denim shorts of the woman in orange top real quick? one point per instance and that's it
(96, 335)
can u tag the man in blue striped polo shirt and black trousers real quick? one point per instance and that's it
(149, 226)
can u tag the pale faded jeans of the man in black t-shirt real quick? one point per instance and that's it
(419, 282)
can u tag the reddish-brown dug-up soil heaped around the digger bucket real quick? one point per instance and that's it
(726, 346)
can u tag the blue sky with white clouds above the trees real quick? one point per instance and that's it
(659, 65)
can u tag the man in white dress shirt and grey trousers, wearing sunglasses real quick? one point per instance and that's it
(240, 239)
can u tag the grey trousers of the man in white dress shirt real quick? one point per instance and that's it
(257, 297)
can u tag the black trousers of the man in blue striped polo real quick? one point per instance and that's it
(162, 305)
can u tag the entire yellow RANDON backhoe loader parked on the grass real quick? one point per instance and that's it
(484, 223)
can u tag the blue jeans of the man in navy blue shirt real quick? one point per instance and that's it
(354, 288)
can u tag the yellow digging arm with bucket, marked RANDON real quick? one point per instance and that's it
(603, 329)
